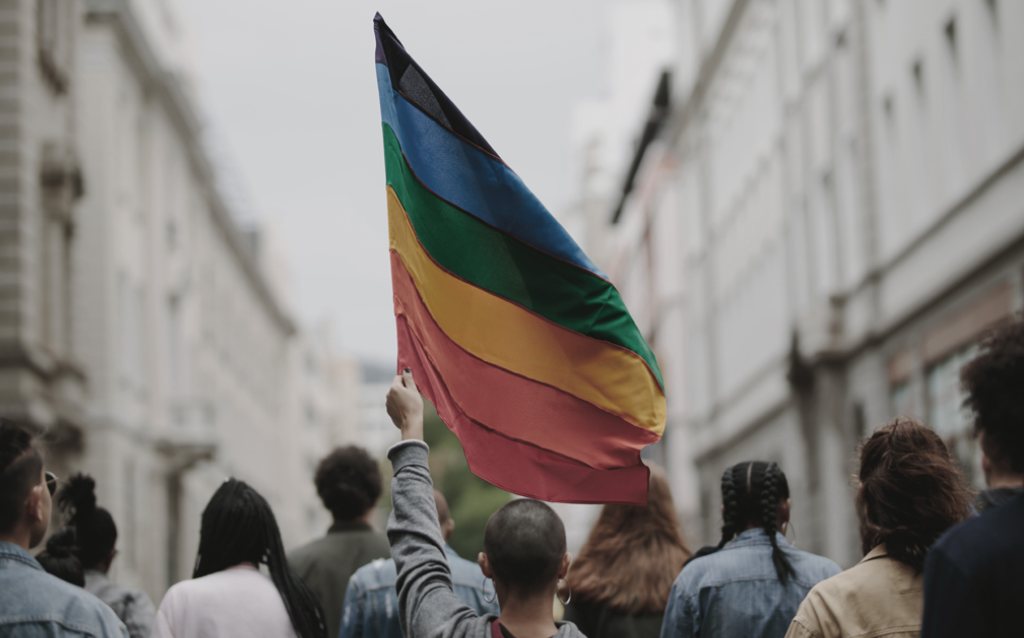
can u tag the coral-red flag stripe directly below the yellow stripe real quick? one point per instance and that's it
(519, 408)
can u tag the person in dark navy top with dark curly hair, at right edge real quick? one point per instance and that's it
(974, 576)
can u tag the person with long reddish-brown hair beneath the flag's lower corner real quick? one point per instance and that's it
(619, 586)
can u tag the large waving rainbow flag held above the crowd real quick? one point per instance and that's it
(522, 344)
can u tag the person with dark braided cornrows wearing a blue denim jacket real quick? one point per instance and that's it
(752, 583)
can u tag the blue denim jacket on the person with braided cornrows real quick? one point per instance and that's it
(736, 591)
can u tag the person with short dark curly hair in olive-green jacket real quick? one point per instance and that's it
(349, 483)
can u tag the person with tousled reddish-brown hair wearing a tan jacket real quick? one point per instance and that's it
(911, 493)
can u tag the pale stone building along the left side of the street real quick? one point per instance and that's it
(143, 322)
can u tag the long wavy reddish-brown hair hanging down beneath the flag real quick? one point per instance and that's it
(633, 555)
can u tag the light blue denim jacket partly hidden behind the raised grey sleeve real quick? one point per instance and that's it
(372, 604)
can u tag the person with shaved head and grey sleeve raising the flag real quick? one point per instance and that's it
(524, 549)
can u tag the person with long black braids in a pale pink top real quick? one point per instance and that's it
(229, 596)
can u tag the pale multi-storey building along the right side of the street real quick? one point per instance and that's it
(843, 183)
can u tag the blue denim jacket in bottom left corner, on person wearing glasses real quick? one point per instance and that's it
(34, 604)
